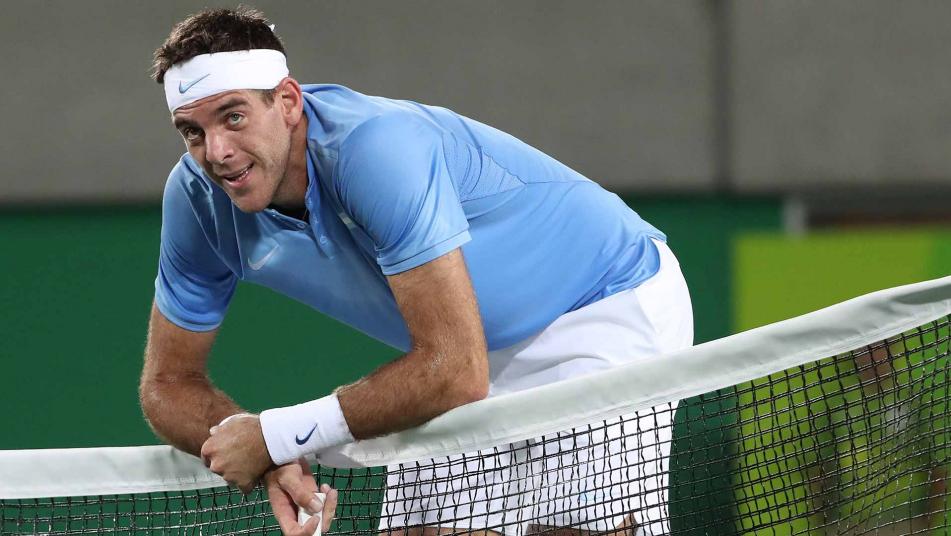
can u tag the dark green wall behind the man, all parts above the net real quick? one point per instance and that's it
(77, 287)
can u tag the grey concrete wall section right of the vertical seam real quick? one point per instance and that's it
(853, 93)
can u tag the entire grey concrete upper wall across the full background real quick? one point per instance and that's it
(639, 95)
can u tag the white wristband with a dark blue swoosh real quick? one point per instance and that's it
(307, 428)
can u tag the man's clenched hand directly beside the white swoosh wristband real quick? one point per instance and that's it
(236, 451)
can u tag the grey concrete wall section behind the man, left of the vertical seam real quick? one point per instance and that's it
(618, 90)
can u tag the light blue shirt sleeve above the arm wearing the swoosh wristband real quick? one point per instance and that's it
(393, 180)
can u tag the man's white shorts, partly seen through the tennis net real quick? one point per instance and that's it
(590, 478)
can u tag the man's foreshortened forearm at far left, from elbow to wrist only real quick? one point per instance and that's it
(181, 409)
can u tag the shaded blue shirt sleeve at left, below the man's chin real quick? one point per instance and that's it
(193, 286)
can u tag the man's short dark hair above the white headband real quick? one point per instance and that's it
(211, 31)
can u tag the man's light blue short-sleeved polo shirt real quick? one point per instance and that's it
(392, 185)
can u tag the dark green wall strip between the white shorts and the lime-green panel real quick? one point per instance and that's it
(701, 231)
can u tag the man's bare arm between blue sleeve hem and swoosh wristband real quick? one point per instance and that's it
(447, 365)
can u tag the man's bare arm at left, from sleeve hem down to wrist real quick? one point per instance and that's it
(177, 397)
